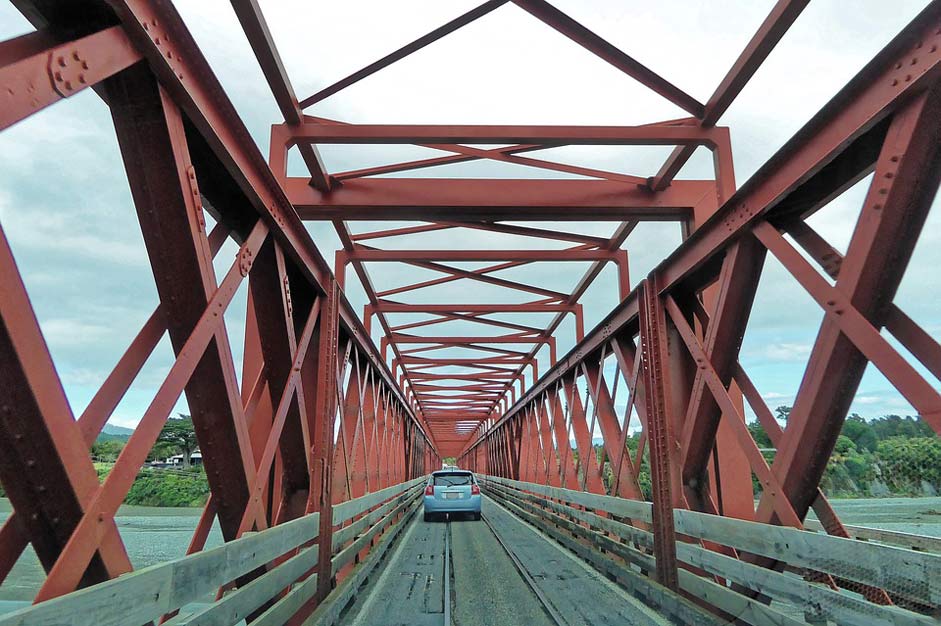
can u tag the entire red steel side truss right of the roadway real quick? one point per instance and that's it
(675, 339)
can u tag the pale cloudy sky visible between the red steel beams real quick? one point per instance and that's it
(66, 208)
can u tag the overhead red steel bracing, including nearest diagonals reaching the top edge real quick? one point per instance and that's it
(461, 383)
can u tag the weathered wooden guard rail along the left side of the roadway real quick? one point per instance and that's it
(289, 551)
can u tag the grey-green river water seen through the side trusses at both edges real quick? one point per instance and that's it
(154, 534)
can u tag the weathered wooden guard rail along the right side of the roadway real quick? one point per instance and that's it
(596, 527)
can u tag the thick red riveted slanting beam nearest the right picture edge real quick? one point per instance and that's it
(893, 214)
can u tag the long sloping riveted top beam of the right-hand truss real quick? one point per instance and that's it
(841, 126)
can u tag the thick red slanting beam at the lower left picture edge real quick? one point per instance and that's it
(44, 463)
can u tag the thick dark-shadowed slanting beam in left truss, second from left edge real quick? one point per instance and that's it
(164, 187)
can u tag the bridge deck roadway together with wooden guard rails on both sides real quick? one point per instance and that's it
(541, 555)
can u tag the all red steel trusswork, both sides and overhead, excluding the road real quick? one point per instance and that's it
(324, 418)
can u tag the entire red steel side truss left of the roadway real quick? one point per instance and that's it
(270, 449)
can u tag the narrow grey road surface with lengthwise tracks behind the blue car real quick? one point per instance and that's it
(485, 587)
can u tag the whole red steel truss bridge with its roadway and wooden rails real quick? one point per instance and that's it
(318, 442)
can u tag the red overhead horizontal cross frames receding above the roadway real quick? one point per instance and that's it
(480, 204)
